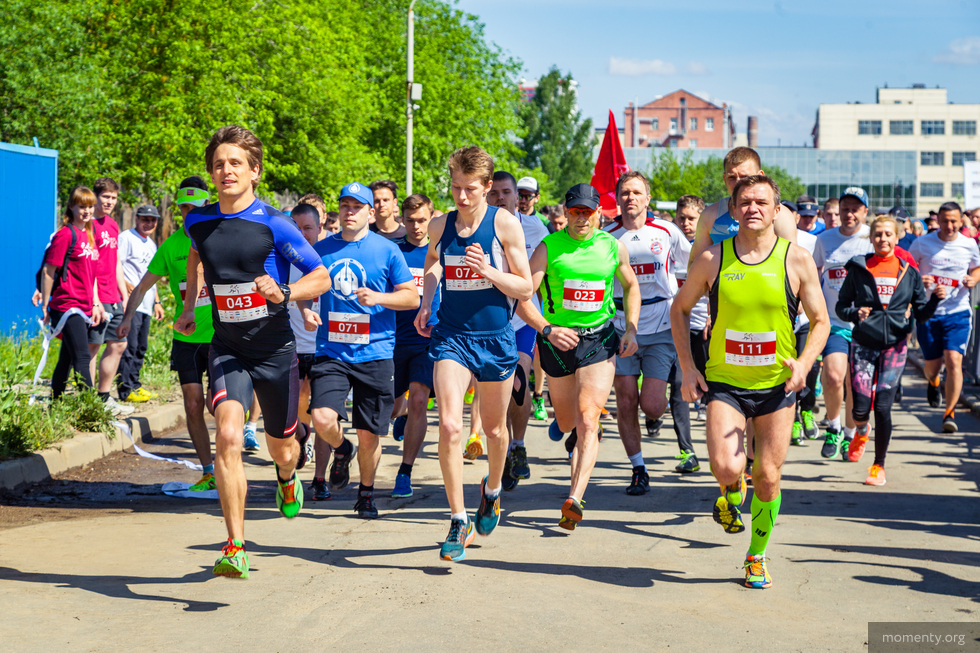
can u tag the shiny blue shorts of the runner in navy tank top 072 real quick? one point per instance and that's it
(490, 355)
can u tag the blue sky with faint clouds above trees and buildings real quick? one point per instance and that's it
(775, 60)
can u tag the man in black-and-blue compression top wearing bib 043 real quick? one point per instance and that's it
(245, 247)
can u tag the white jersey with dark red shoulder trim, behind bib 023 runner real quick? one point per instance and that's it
(656, 250)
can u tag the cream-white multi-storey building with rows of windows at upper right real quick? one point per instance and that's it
(943, 135)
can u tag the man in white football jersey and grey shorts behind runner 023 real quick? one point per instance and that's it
(656, 249)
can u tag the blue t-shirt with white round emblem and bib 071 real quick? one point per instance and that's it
(352, 332)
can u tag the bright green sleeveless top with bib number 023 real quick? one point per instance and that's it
(577, 288)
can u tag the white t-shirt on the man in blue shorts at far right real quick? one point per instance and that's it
(949, 263)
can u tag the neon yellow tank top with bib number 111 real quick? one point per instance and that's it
(753, 310)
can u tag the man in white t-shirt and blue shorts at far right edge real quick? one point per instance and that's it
(947, 258)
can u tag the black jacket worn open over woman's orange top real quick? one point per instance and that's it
(883, 327)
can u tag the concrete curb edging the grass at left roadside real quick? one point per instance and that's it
(85, 448)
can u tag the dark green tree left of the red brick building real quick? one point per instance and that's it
(556, 138)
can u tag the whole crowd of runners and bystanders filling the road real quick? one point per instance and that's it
(740, 313)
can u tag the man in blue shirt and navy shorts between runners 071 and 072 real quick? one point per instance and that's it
(413, 367)
